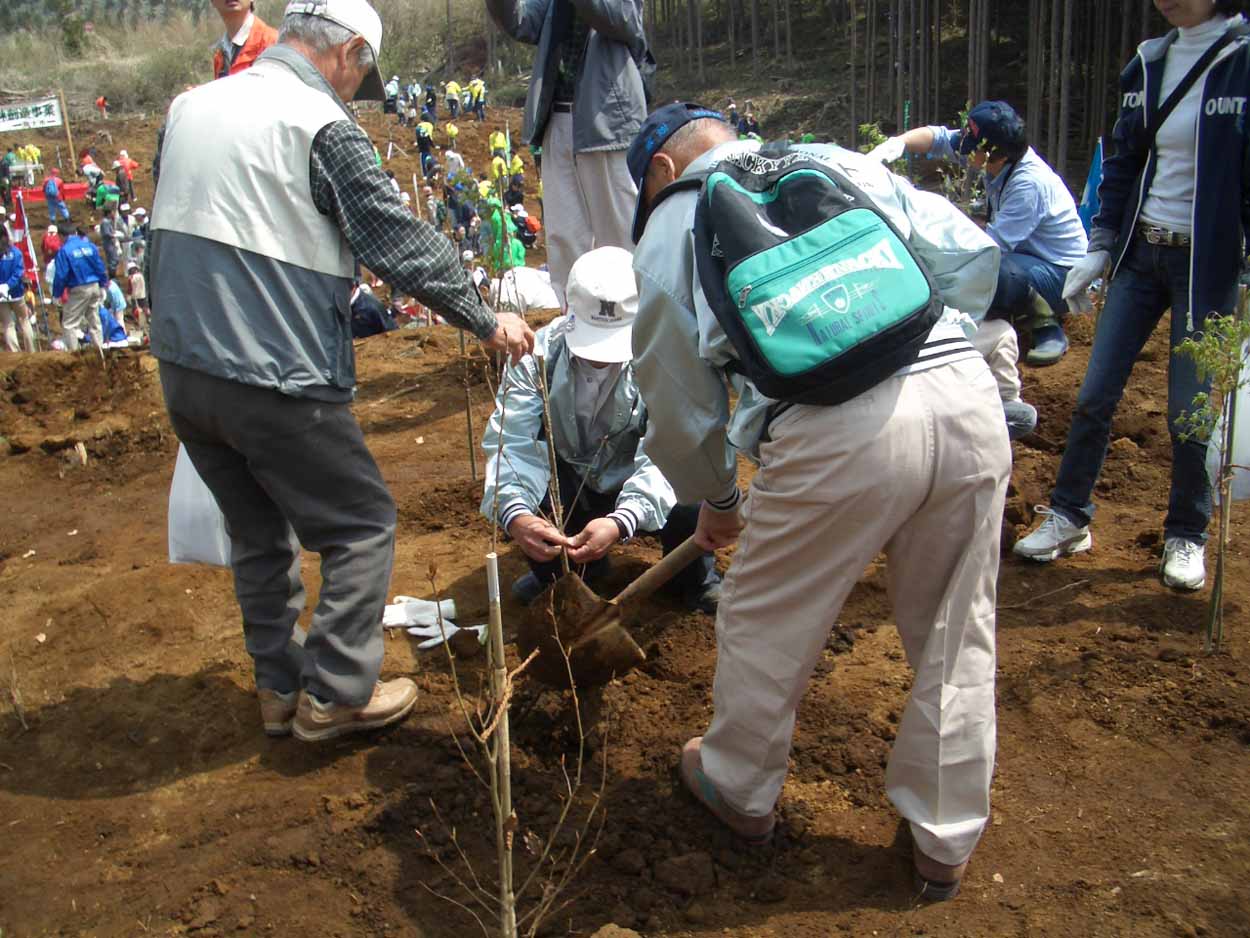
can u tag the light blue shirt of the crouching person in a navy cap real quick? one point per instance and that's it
(1033, 212)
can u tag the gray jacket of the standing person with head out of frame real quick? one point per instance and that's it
(611, 102)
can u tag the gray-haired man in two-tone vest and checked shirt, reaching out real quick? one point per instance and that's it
(252, 327)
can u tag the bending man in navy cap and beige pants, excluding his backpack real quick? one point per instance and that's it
(916, 467)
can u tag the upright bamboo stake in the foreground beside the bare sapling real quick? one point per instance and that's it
(506, 820)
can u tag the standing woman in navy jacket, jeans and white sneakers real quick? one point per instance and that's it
(1176, 204)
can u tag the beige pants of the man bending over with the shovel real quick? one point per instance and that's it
(918, 467)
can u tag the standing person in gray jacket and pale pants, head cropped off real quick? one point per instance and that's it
(586, 104)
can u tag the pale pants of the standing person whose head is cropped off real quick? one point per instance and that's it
(588, 201)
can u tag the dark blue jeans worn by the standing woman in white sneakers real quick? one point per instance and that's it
(1151, 281)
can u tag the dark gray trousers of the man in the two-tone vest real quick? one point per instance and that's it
(288, 472)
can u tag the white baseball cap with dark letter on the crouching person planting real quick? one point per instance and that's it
(603, 306)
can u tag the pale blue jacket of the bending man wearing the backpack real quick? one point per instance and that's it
(682, 355)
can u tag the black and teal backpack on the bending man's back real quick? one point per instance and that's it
(817, 290)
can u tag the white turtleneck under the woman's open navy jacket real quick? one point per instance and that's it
(1171, 201)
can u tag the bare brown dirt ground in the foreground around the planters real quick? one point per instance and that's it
(138, 795)
